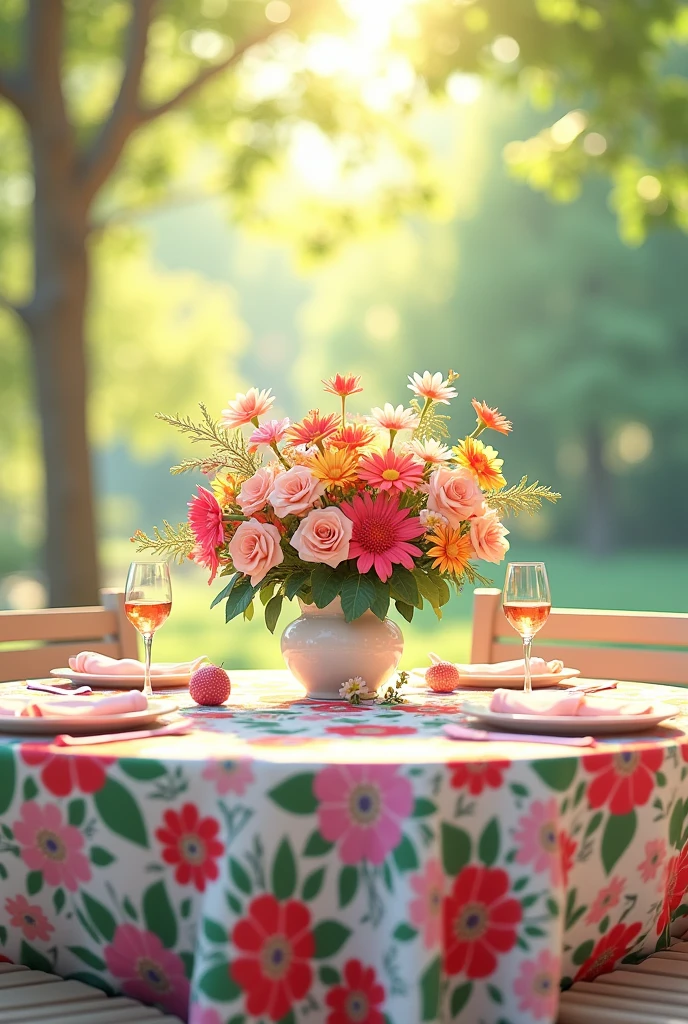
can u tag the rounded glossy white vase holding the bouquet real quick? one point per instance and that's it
(323, 651)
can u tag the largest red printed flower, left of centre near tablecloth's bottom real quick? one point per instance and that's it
(275, 947)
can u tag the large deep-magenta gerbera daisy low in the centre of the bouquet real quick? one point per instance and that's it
(381, 532)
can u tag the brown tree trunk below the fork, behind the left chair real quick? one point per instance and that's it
(56, 322)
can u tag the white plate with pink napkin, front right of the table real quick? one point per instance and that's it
(571, 726)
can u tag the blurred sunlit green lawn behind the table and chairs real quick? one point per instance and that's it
(649, 581)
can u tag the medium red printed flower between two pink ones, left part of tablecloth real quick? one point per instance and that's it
(191, 843)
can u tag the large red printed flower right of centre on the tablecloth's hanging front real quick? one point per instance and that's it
(480, 921)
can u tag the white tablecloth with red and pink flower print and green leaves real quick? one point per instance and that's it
(307, 864)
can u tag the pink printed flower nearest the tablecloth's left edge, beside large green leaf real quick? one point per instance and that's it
(51, 846)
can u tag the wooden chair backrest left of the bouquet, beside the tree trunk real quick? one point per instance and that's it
(54, 635)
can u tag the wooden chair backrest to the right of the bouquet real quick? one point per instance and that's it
(644, 647)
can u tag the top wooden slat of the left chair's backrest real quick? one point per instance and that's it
(59, 624)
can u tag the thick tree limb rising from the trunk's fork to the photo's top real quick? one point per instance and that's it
(102, 158)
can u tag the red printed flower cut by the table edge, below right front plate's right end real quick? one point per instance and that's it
(623, 781)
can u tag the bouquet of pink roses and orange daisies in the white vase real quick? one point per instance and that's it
(346, 513)
